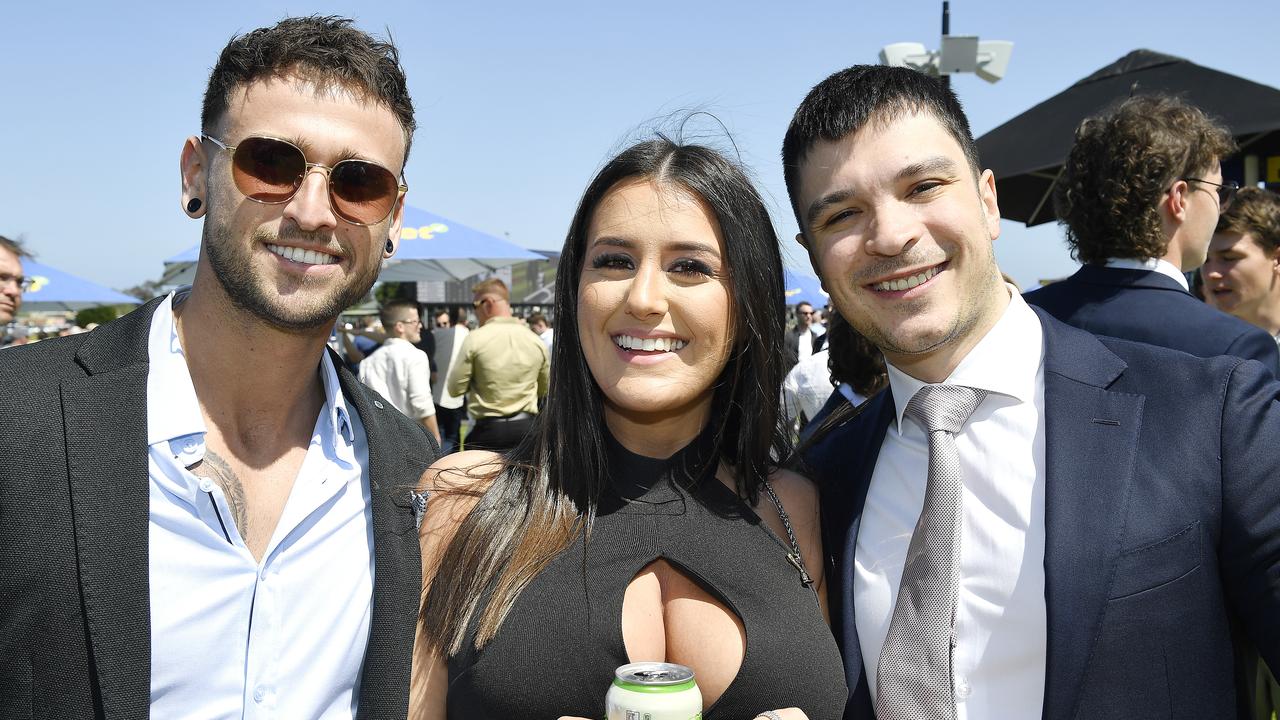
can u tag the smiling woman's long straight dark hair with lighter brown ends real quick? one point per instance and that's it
(547, 493)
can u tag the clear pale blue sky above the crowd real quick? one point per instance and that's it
(520, 103)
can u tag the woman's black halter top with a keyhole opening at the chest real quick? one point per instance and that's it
(559, 648)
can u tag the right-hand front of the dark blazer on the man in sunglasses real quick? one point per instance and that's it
(394, 473)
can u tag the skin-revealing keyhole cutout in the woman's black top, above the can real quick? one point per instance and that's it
(669, 617)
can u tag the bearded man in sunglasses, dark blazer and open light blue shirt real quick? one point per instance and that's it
(204, 514)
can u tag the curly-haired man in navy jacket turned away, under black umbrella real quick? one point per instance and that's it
(1141, 195)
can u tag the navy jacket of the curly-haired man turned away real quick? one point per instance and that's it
(1149, 307)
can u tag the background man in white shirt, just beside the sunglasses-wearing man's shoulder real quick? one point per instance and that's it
(399, 371)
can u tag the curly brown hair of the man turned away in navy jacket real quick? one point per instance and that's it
(1123, 162)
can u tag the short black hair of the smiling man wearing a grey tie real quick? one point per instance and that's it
(851, 99)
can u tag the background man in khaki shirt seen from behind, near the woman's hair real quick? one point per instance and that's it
(504, 368)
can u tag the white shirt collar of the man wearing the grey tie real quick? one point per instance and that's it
(1005, 362)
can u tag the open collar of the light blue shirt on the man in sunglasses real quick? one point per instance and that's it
(173, 411)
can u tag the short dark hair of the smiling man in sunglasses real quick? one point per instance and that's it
(323, 49)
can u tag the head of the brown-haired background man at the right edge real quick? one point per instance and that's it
(1242, 274)
